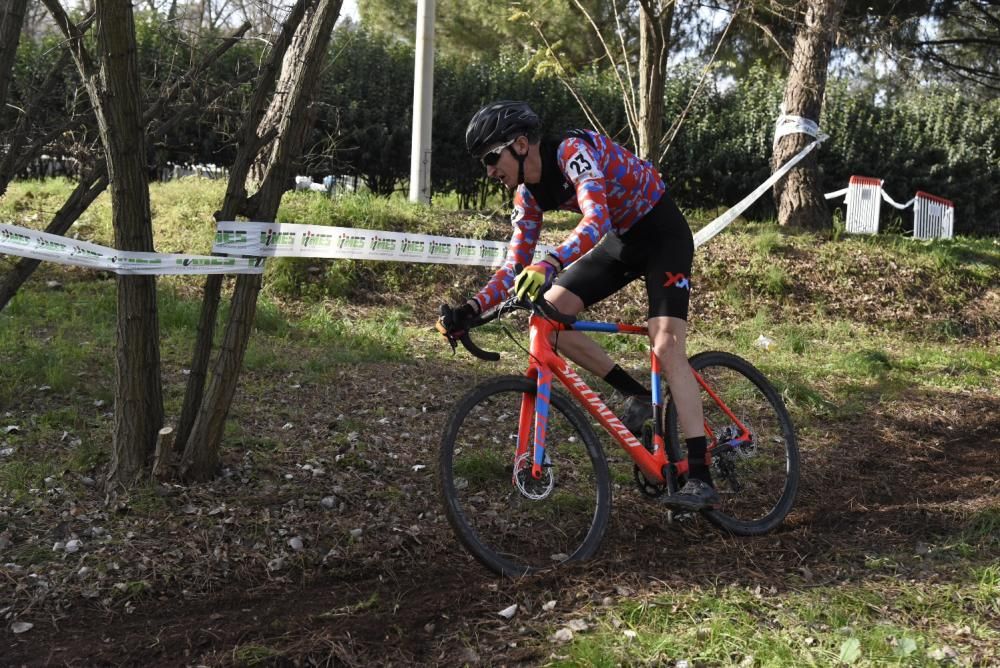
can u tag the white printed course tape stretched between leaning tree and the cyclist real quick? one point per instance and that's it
(291, 240)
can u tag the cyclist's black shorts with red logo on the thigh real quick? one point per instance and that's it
(658, 247)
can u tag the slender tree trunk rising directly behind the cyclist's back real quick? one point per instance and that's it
(655, 20)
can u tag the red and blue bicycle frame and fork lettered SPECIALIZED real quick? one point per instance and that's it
(545, 364)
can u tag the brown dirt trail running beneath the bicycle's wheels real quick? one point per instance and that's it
(889, 484)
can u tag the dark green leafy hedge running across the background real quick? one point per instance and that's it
(929, 138)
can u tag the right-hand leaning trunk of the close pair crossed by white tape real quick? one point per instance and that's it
(285, 121)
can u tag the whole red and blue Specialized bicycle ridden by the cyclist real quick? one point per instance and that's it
(525, 482)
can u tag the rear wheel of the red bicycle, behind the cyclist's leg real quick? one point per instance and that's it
(757, 479)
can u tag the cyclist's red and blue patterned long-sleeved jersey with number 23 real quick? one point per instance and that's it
(584, 172)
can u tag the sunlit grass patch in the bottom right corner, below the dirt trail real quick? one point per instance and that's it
(873, 625)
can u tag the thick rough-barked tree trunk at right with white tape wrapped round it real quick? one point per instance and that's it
(798, 197)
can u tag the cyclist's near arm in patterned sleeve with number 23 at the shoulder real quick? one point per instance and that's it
(579, 163)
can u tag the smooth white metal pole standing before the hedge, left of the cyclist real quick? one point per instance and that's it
(423, 89)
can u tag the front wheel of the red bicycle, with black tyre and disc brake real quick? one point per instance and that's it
(510, 522)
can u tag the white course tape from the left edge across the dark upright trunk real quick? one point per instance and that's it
(53, 248)
